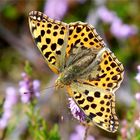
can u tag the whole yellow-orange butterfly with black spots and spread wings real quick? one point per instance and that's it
(88, 69)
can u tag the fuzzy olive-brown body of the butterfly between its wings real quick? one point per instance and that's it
(75, 69)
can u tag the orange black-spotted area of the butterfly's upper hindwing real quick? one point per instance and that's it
(82, 34)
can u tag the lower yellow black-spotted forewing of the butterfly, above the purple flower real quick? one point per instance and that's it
(97, 104)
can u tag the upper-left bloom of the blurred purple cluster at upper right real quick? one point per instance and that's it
(105, 15)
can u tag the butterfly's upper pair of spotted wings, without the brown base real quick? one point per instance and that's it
(56, 39)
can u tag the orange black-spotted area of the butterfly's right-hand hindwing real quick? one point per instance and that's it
(109, 74)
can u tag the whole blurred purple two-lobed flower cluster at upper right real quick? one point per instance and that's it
(118, 28)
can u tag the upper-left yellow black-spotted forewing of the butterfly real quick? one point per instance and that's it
(50, 37)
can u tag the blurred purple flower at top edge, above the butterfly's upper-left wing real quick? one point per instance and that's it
(56, 9)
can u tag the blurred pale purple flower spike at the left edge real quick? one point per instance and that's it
(10, 100)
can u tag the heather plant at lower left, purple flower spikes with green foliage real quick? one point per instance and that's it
(28, 116)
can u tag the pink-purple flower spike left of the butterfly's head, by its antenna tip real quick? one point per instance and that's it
(28, 88)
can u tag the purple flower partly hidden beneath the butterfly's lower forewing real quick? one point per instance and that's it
(76, 111)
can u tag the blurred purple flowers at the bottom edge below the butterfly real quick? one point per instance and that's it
(79, 134)
